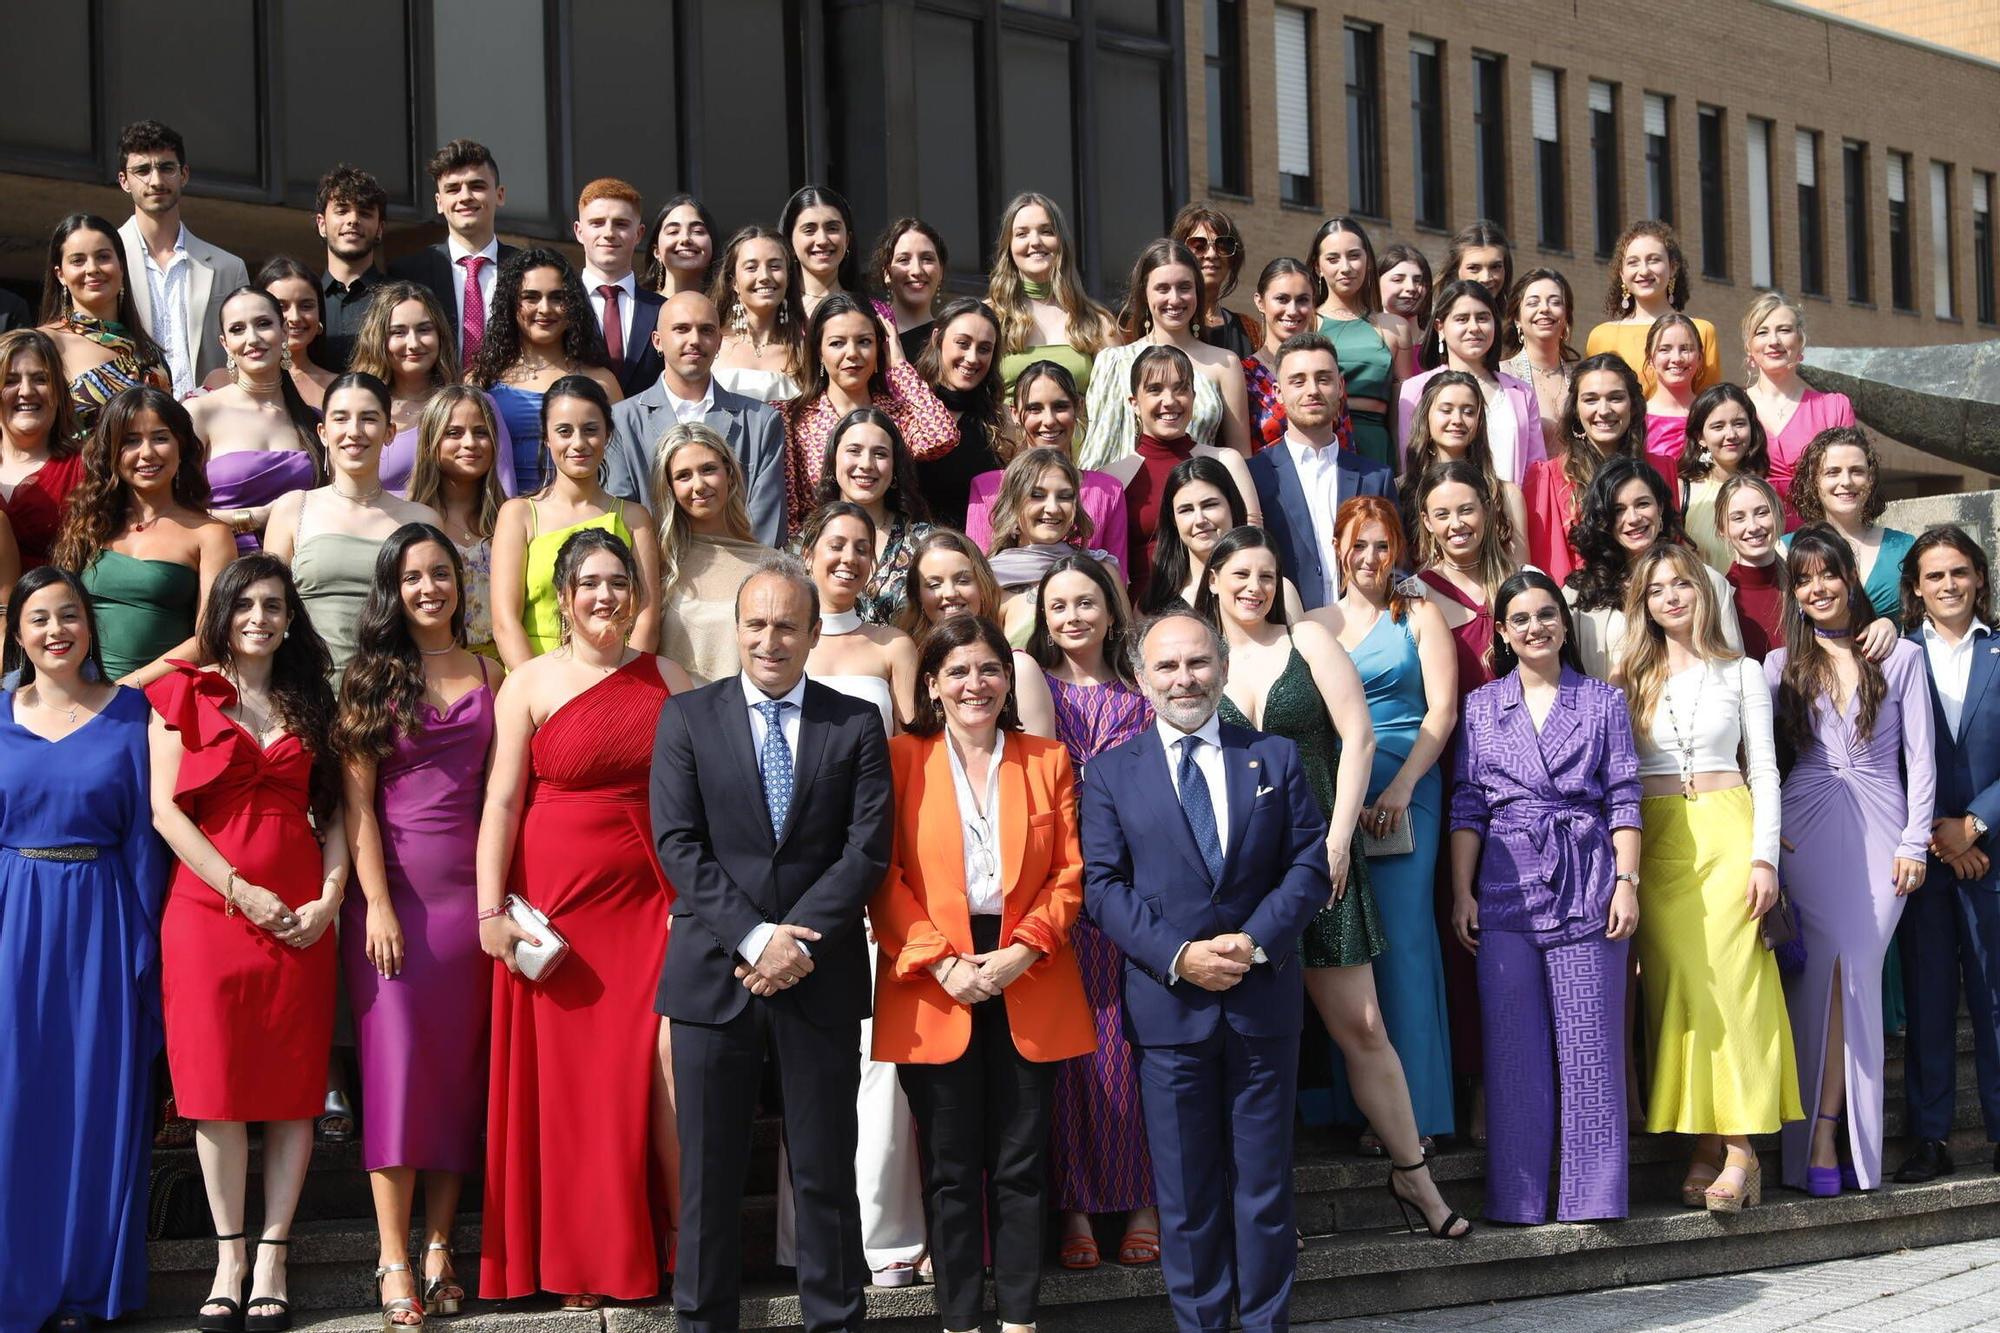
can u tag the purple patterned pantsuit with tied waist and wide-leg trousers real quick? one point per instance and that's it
(1551, 984)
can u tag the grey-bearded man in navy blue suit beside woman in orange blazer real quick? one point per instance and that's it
(1205, 856)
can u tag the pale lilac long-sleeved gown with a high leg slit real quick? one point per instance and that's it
(1849, 814)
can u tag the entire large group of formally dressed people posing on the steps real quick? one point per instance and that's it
(497, 708)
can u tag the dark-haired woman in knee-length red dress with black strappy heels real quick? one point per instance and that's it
(245, 792)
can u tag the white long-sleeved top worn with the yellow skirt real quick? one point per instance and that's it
(1703, 702)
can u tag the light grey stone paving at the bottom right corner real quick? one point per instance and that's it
(1939, 1290)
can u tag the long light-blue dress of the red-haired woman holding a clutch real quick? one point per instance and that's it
(1411, 972)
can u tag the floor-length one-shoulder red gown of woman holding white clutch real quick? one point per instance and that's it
(571, 1176)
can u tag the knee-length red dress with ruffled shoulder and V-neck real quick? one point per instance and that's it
(249, 1022)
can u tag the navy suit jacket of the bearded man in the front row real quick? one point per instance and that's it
(1147, 886)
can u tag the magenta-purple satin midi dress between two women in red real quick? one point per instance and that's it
(423, 1034)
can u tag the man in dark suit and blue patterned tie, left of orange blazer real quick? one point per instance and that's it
(771, 810)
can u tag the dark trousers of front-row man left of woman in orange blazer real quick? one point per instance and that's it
(717, 1074)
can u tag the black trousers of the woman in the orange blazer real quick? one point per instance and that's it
(983, 1142)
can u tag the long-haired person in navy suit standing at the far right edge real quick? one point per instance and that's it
(1951, 926)
